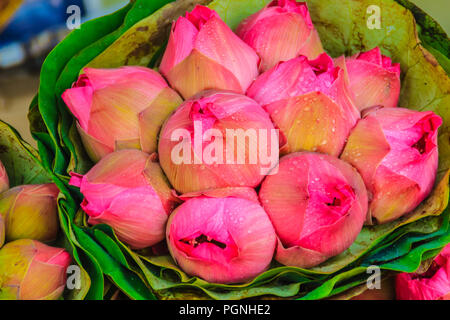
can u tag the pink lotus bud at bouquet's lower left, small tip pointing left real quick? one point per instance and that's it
(128, 191)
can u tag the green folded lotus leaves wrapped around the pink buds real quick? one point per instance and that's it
(137, 35)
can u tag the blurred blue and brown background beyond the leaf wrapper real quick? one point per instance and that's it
(29, 29)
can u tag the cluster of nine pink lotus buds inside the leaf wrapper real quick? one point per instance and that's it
(217, 194)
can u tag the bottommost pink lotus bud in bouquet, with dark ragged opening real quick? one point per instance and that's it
(222, 238)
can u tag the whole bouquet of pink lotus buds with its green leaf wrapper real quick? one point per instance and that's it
(244, 148)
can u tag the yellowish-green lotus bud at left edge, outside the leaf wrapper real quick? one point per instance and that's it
(30, 212)
